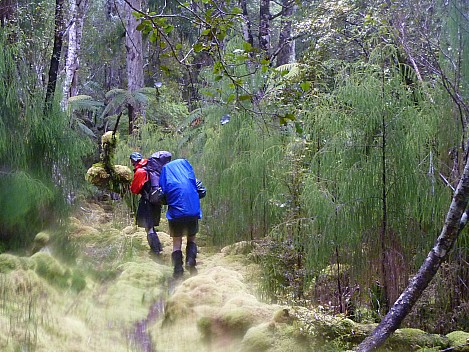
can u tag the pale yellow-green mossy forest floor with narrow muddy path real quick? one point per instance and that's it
(116, 295)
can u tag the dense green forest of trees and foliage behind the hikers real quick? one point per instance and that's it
(331, 133)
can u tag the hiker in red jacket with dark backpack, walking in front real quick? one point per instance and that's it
(145, 183)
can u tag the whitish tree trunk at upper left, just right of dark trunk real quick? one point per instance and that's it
(78, 9)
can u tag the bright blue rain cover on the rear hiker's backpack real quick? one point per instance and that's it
(178, 183)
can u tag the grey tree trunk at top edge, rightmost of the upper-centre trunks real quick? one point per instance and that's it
(286, 51)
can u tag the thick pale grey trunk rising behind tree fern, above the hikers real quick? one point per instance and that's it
(134, 47)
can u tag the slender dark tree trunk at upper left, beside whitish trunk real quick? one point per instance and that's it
(56, 51)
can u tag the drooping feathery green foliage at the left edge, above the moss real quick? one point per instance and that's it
(40, 156)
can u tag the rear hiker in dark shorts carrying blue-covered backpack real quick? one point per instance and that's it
(182, 193)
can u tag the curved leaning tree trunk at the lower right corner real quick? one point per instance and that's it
(455, 221)
